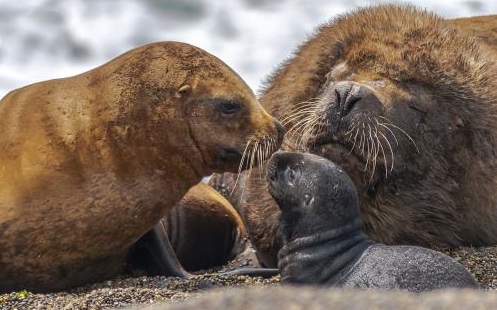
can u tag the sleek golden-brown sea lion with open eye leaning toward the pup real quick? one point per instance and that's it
(92, 162)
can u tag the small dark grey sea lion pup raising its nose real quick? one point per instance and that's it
(323, 243)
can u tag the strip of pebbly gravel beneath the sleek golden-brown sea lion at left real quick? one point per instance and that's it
(126, 291)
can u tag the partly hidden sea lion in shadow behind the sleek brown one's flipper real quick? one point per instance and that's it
(204, 230)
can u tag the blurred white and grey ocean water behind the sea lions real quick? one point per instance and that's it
(45, 39)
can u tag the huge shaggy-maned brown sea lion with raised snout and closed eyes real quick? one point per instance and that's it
(406, 103)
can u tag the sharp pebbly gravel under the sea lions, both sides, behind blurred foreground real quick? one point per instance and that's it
(122, 292)
